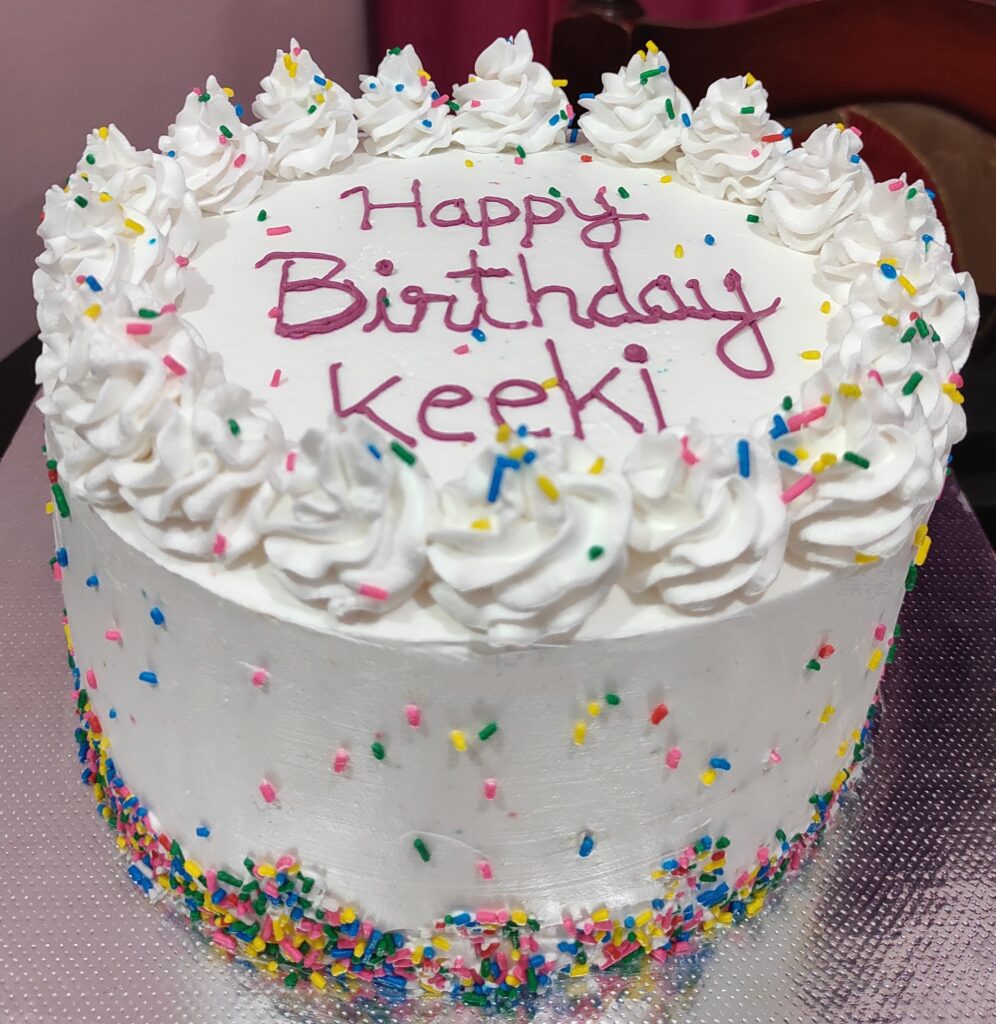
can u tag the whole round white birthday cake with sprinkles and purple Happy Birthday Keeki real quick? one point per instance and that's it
(484, 530)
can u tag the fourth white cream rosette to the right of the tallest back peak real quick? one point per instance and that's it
(892, 220)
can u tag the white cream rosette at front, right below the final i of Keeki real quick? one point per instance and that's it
(709, 524)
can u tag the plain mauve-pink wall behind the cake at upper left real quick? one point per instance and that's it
(77, 66)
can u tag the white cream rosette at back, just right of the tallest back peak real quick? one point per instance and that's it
(638, 115)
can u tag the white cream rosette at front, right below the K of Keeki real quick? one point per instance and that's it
(349, 528)
